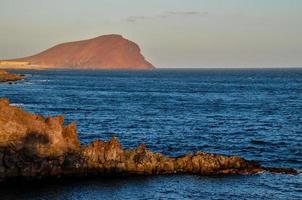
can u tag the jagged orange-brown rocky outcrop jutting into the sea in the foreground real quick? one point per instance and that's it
(33, 147)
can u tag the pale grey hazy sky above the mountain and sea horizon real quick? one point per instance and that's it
(170, 33)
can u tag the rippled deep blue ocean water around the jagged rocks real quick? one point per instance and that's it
(253, 113)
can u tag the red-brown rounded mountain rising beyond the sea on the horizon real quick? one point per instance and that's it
(103, 52)
